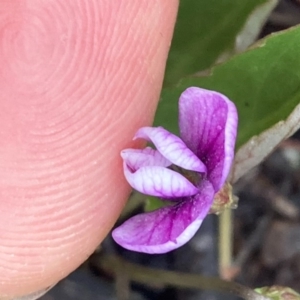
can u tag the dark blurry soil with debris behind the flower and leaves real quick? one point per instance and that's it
(266, 231)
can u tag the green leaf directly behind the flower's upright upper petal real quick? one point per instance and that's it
(264, 83)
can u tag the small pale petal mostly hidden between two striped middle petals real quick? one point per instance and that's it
(137, 158)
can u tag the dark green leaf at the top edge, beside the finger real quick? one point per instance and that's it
(204, 30)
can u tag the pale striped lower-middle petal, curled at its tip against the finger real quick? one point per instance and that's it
(159, 181)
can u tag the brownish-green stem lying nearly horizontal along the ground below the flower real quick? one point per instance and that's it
(150, 276)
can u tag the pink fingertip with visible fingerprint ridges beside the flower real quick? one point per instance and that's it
(77, 79)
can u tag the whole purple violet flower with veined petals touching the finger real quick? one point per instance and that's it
(187, 171)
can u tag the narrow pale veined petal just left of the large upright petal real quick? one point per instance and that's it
(172, 148)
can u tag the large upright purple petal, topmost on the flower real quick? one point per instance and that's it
(208, 126)
